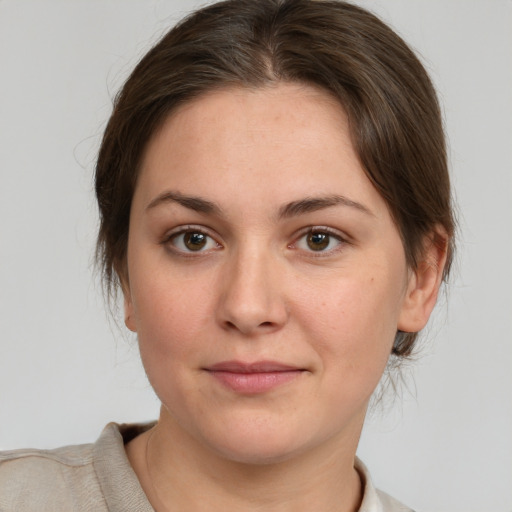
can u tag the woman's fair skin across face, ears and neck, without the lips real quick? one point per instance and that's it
(252, 160)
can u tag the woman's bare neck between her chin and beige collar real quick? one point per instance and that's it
(172, 468)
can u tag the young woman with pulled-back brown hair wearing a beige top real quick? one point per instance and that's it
(275, 207)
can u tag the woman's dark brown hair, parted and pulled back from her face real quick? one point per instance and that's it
(391, 104)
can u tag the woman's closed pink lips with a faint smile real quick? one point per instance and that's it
(253, 378)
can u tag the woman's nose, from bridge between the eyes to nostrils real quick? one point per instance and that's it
(252, 300)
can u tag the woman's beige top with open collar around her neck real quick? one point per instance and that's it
(98, 477)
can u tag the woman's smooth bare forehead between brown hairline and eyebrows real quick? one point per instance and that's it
(279, 142)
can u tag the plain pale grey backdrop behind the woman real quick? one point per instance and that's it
(66, 369)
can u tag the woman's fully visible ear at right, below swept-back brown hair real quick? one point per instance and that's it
(424, 282)
